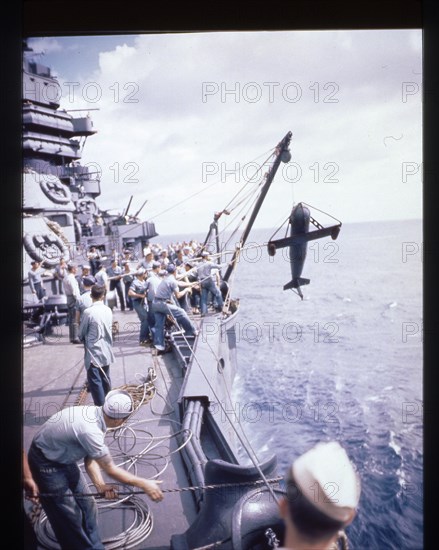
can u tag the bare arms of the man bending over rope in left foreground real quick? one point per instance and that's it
(107, 464)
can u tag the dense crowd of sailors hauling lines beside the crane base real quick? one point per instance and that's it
(166, 284)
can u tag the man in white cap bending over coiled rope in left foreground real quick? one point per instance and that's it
(74, 434)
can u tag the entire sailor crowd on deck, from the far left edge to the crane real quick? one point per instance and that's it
(167, 283)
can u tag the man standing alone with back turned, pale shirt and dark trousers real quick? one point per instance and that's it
(95, 332)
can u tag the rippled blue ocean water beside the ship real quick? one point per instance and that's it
(344, 363)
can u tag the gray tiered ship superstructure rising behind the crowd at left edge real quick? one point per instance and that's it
(61, 217)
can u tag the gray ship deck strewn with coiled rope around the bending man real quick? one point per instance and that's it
(54, 377)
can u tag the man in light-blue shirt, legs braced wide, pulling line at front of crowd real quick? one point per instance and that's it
(165, 304)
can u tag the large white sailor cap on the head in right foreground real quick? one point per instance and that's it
(327, 478)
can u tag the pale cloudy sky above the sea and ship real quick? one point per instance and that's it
(183, 119)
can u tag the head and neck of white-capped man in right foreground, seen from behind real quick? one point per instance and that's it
(323, 491)
